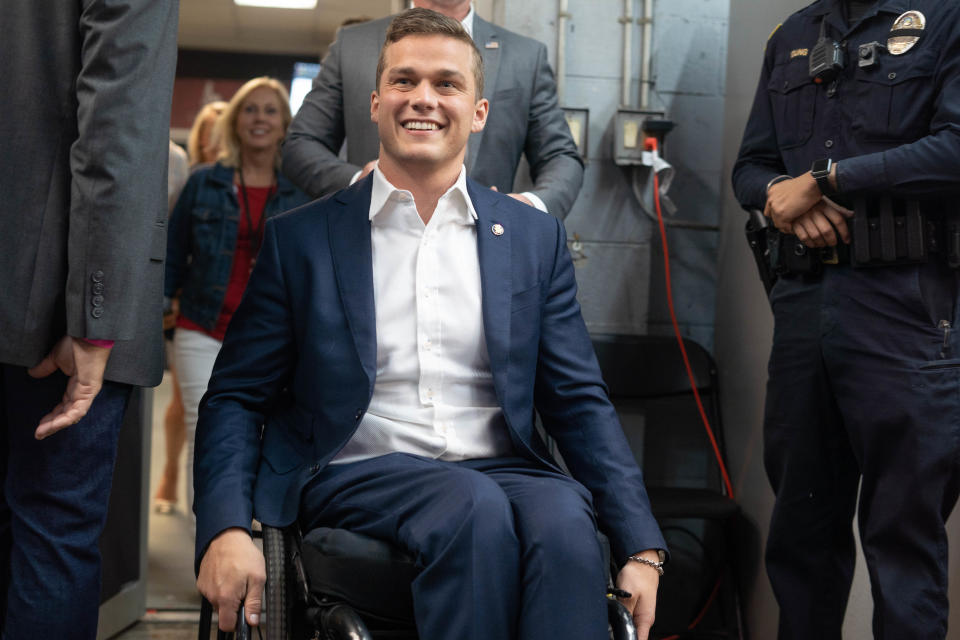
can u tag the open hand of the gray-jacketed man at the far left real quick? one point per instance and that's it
(84, 363)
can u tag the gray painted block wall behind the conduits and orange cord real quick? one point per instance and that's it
(618, 259)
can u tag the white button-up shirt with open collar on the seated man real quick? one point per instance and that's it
(434, 394)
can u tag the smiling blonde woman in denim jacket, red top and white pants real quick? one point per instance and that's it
(216, 230)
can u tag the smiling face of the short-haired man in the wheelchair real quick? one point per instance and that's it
(426, 105)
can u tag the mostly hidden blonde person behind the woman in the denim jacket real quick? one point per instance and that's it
(202, 148)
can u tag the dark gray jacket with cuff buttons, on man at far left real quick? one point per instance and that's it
(83, 161)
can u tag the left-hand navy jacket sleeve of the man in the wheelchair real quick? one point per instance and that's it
(253, 366)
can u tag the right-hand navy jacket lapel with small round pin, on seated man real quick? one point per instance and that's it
(495, 280)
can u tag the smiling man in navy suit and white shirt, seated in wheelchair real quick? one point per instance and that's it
(382, 373)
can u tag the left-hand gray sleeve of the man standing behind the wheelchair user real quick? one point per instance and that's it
(310, 151)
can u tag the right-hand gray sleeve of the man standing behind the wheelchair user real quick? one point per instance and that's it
(555, 163)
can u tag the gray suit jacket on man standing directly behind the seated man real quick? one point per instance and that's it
(524, 118)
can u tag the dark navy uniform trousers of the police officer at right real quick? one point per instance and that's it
(864, 391)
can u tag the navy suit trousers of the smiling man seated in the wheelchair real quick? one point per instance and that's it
(506, 548)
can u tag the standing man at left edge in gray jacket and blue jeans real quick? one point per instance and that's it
(83, 156)
